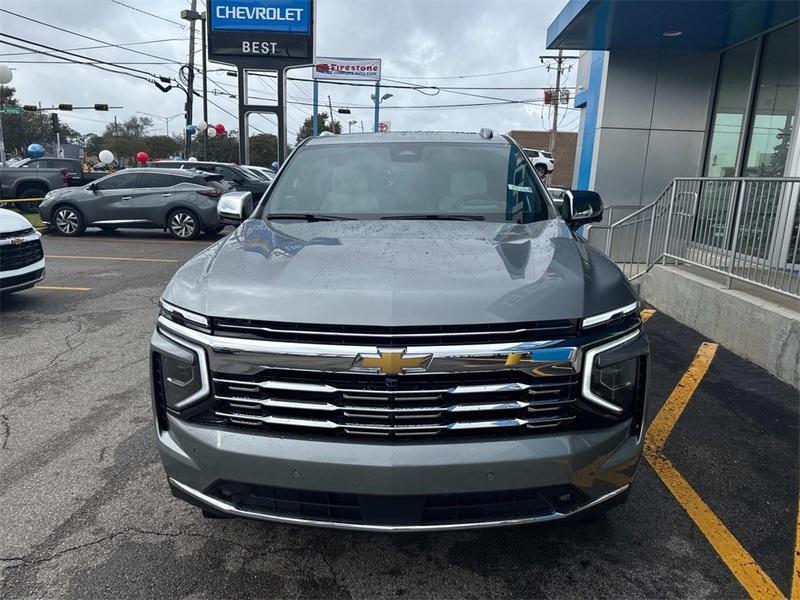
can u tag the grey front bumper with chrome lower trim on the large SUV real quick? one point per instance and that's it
(599, 465)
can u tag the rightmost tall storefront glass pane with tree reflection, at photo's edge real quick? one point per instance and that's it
(775, 104)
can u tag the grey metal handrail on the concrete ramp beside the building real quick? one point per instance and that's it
(745, 228)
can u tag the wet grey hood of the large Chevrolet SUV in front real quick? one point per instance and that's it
(396, 273)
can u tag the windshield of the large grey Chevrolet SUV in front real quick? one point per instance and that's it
(398, 180)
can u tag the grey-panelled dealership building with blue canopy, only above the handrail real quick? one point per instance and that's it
(681, 88)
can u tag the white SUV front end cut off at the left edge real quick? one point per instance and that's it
(21, 255)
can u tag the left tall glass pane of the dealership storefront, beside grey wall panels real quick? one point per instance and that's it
(733, 91)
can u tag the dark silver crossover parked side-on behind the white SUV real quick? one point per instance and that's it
(181, 201)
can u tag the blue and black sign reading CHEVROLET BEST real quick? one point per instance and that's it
(261, 34)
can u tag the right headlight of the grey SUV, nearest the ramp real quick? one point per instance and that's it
(614, 374)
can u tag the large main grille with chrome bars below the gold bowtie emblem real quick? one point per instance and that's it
(408, 406)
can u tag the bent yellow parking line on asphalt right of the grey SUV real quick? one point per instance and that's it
(749, 574)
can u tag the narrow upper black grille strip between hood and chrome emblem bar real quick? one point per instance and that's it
(394, 336)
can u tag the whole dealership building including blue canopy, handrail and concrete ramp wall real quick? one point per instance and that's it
(688, 131)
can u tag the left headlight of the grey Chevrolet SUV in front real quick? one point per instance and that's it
(182, 371)
